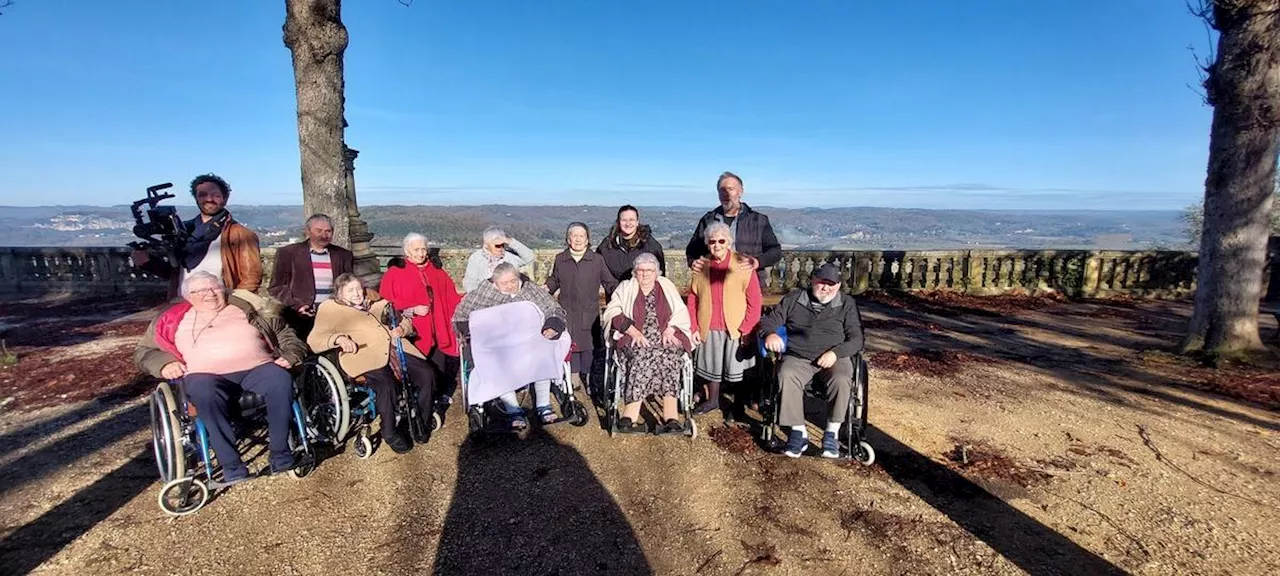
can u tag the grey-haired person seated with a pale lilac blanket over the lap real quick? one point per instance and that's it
(502, 295)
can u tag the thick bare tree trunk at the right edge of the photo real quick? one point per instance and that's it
(1244, 86)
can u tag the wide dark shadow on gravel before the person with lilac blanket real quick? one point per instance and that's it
(534, 508)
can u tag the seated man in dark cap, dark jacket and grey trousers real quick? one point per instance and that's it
(825, 332)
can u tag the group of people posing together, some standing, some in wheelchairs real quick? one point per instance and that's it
(223, 339)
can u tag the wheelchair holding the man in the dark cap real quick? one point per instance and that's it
(853, 433)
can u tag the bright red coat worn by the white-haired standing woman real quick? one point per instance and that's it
(406, 286)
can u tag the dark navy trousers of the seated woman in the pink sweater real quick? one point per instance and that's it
(216, 395)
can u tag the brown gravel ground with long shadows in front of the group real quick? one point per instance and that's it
(1048, 445)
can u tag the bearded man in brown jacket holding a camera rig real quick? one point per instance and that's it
(216, 244)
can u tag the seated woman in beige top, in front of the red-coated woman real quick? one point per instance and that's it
(380, 356)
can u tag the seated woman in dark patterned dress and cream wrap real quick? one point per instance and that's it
(650, 330)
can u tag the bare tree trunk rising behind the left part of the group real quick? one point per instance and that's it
(316, 35)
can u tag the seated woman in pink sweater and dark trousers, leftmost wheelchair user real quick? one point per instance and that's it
(222, 346)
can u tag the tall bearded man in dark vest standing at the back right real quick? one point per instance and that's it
(753, 234)
